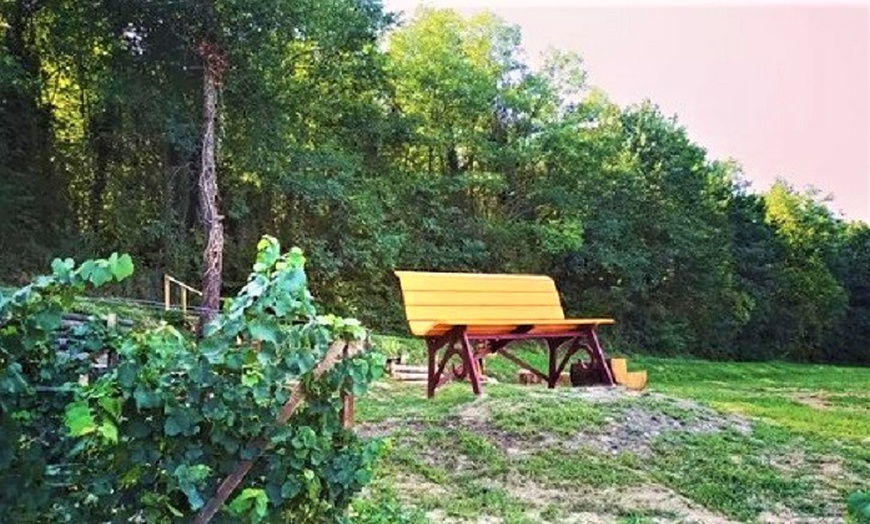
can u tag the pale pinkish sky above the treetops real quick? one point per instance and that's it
(781, 87)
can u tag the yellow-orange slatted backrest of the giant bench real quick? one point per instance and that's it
(431, 297)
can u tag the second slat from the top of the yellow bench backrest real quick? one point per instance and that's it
(479, 298)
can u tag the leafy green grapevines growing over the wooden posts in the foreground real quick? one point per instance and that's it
(163, 427)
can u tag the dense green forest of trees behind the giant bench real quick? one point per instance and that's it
(428, 143)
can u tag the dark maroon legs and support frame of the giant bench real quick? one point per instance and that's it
(457, 342)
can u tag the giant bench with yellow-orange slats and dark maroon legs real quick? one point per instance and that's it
(472, 315)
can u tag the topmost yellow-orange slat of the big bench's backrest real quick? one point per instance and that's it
(430, 281)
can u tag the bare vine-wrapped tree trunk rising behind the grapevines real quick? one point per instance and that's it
(208, 190)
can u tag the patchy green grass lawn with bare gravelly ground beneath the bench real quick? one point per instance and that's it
(706, 442)
